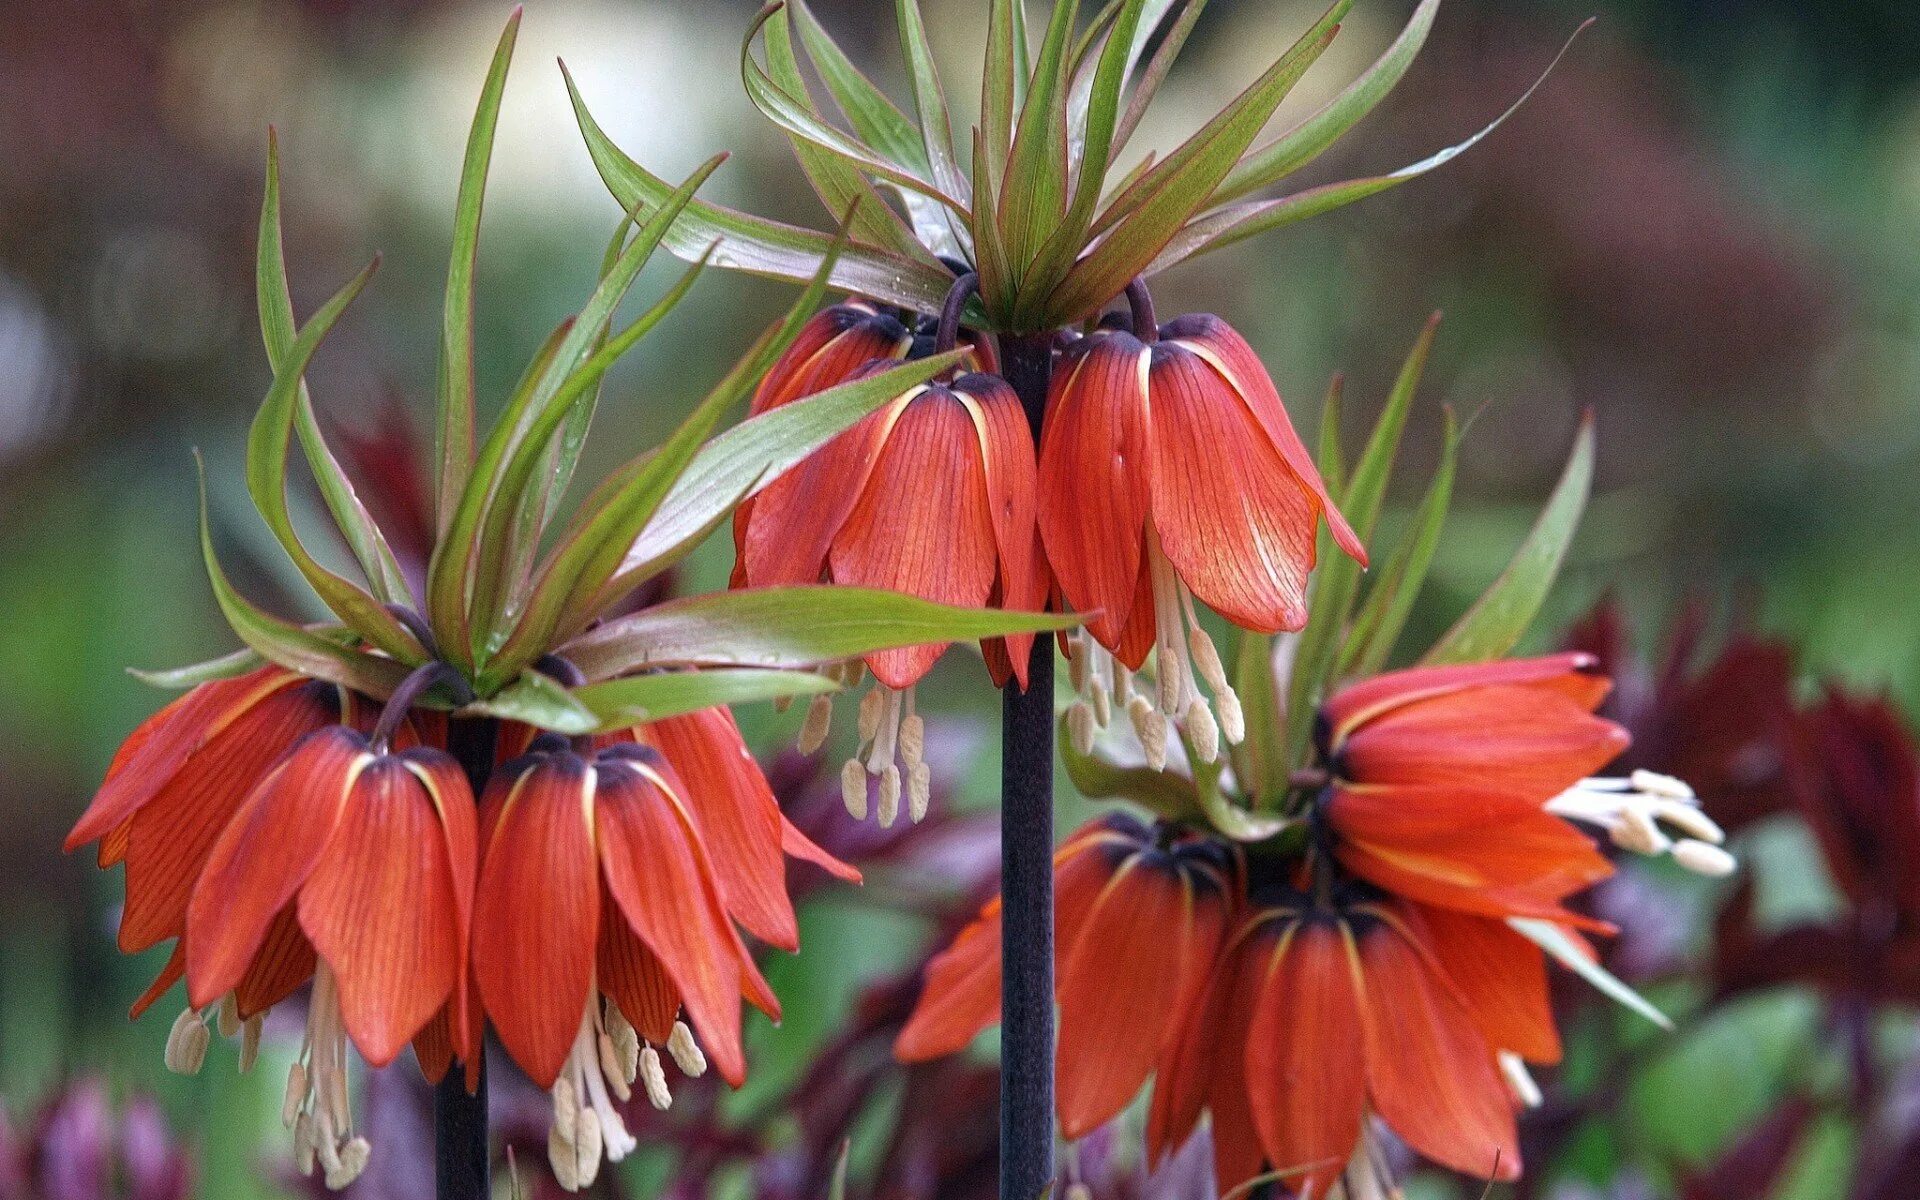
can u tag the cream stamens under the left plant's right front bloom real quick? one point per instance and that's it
(608, 1061)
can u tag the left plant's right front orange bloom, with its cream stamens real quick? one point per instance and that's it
(602, 915)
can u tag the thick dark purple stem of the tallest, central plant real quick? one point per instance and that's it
(1028, 873)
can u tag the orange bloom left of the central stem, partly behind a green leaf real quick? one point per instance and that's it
(930, 496)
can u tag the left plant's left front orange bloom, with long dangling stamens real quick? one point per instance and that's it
(350, 865)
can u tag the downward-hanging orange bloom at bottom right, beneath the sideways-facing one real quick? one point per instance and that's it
(1322, 1015)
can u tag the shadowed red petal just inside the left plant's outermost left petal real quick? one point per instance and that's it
(170, 838)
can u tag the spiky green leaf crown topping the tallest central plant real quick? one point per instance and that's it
(1045, 218)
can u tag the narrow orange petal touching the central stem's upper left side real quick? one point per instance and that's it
(1013, 492)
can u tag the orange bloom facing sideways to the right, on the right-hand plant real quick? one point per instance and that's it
(1441, 782)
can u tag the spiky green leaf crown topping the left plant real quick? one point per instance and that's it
(514, 590)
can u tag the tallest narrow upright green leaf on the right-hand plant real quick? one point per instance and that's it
(1337, 583)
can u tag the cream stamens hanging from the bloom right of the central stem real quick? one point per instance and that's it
(1184, 660)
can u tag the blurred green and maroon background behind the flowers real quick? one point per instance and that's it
(1702, 228)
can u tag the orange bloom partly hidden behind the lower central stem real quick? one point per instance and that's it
(1140, 921)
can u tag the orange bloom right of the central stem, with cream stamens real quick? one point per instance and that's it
(1172, 473)
